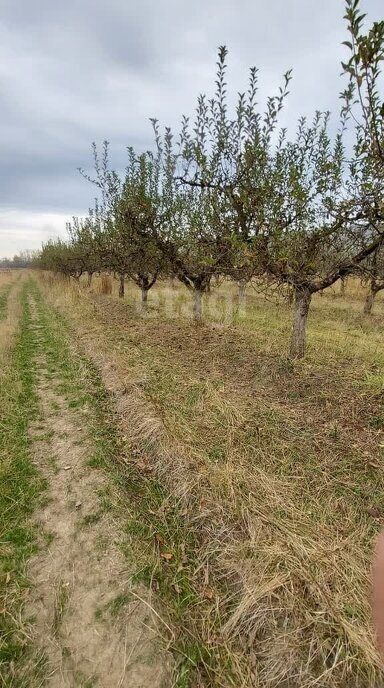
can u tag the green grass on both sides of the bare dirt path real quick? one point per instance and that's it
(144, 520)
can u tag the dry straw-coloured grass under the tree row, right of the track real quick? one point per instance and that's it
(278, 466)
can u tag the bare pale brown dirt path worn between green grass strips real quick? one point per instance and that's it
(92, 629)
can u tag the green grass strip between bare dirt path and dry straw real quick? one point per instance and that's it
(151, 518)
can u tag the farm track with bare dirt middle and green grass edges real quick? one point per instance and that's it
(71, 611)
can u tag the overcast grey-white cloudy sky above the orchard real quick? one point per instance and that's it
(79, 71)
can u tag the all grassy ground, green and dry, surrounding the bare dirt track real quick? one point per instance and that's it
(247, 489)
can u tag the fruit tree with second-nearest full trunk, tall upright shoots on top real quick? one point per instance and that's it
(214, 219)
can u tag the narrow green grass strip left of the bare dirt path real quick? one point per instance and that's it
(20, 489)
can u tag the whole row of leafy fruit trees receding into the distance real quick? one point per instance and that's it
(232, 194)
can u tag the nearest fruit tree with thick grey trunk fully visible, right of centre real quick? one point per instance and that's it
(332, 206)
